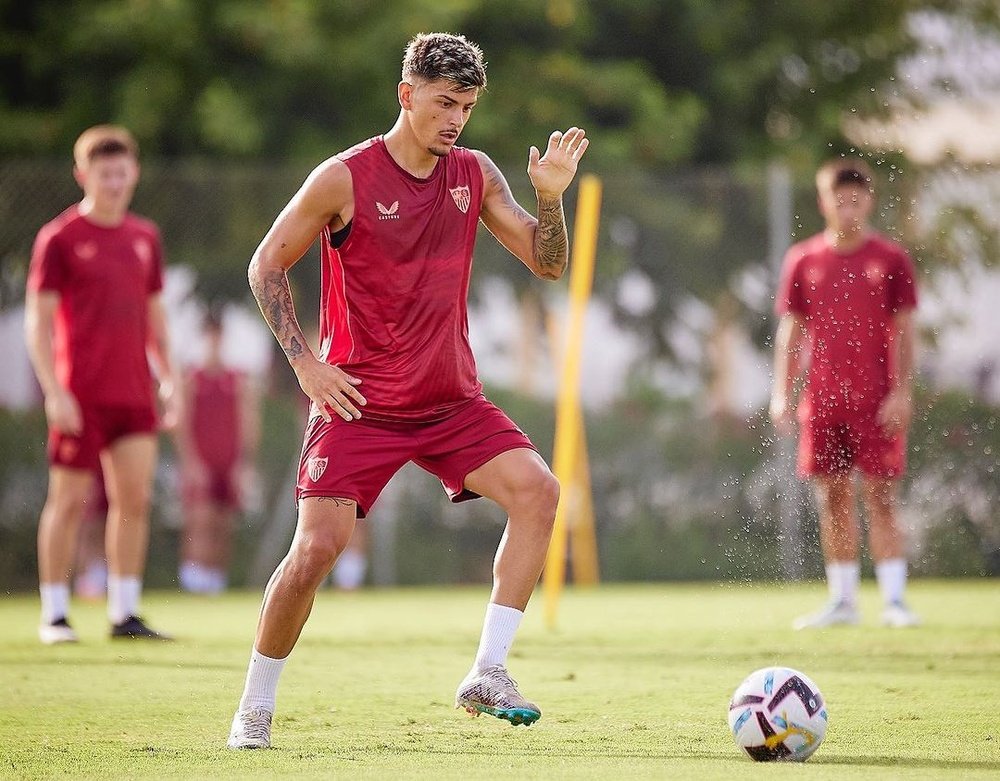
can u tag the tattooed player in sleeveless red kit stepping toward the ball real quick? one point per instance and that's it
(395, 380)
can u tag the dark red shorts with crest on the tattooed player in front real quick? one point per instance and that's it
(356, 459)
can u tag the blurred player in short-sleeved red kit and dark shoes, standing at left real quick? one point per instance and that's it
(94, 320)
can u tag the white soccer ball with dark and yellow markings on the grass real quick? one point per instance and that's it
(778, 714)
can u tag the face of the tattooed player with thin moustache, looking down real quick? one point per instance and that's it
(438, 111)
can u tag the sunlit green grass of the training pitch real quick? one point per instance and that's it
(634, 683)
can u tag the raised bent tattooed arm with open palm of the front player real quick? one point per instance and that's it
(541, 242)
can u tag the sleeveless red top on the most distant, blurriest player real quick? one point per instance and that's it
(215, 416)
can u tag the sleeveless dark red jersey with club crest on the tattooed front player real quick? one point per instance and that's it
(393, 308)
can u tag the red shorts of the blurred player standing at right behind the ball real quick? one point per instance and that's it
(829, 447)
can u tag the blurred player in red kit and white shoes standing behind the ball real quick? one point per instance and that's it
(846, 301)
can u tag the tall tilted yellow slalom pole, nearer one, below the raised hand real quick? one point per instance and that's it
(568, 402)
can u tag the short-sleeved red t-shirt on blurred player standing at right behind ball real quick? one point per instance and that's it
(848, 302)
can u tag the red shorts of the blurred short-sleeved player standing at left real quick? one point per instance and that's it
(102, 425)
